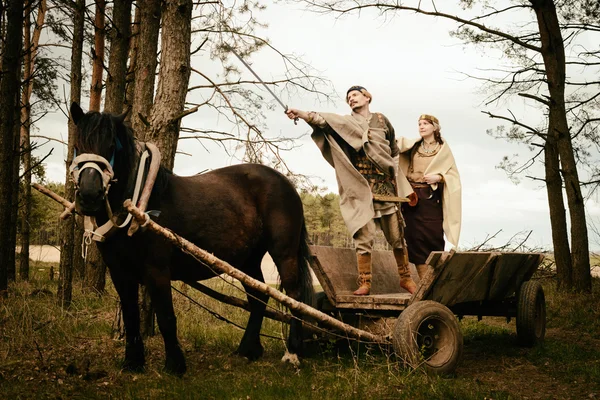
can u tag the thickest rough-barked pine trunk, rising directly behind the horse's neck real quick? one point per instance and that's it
(174, 75)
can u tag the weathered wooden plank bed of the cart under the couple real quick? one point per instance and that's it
(455, 278)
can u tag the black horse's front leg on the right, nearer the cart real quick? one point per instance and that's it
(159, 285)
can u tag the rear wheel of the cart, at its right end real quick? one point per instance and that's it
(531, 314)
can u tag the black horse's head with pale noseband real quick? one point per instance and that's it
(103, 149)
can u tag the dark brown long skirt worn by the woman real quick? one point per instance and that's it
(424, 230)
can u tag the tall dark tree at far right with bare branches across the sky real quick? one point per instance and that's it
(539, 74)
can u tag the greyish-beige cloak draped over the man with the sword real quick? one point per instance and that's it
(356, 199)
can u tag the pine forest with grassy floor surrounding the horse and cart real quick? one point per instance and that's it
(163, 66)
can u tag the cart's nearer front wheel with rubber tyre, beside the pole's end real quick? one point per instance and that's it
(427, 334)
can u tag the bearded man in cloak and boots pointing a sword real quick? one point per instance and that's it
(362, 149)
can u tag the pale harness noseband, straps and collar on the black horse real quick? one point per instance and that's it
(100, 233)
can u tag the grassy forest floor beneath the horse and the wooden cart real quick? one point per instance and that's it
(47, 352)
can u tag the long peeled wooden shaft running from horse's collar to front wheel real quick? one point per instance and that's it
(225, 267)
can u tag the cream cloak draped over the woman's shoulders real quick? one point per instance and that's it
(443, 163)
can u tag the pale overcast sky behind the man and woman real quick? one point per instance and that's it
(411, 66)
